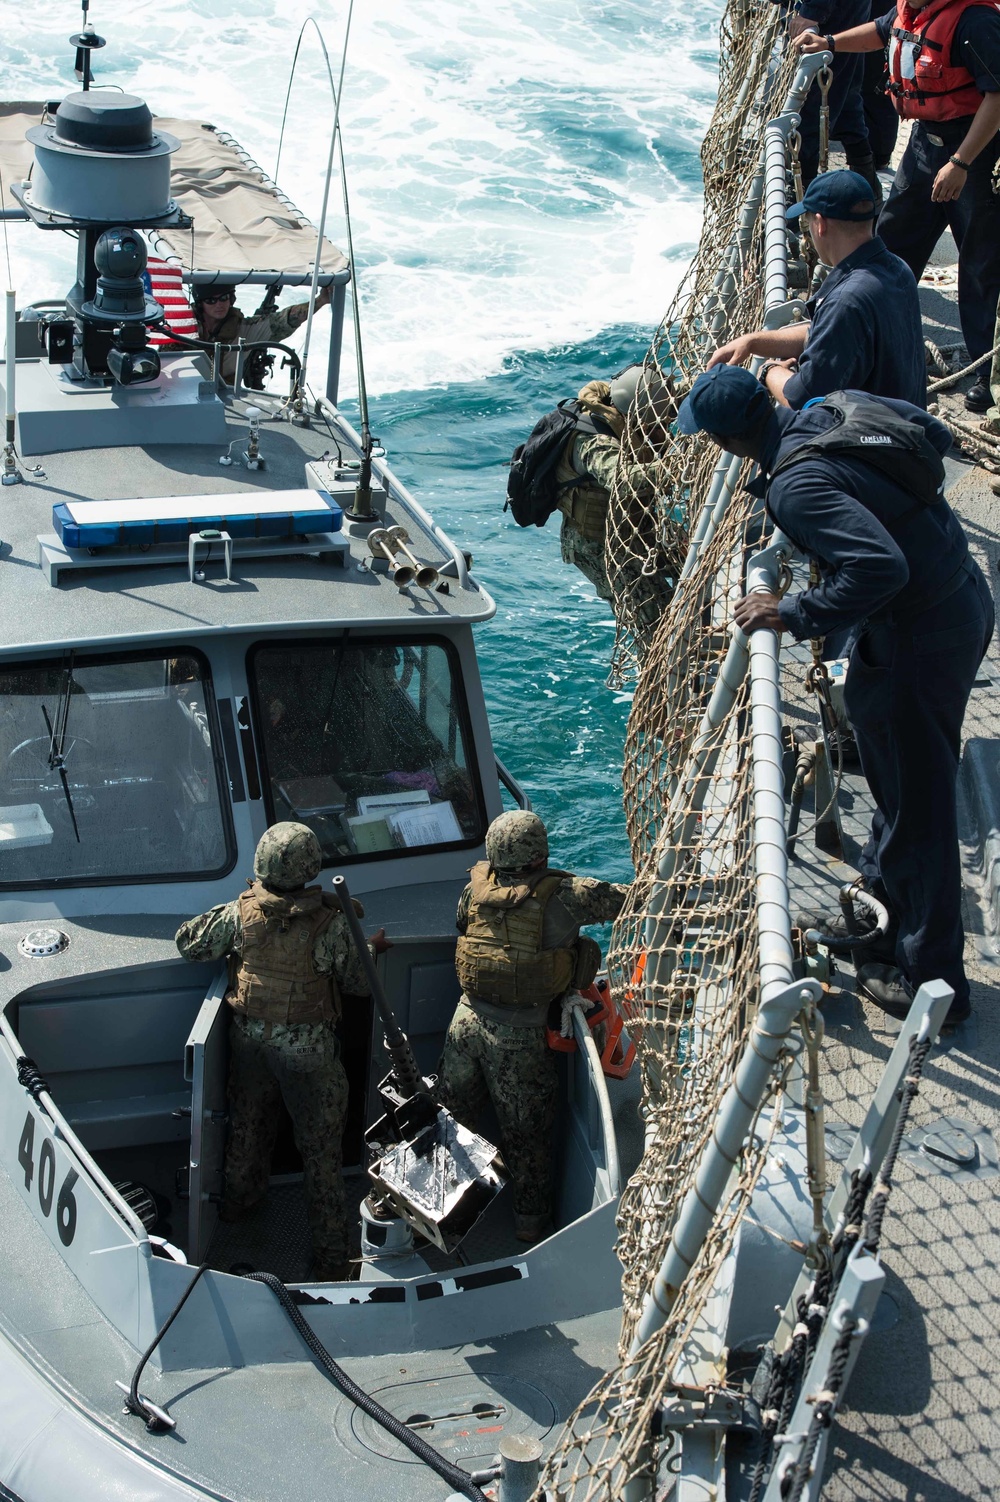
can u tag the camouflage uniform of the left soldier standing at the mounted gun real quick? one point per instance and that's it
(294, 1063)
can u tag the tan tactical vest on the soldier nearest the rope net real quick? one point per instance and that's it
(501, 956)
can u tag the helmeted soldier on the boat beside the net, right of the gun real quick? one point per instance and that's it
(519, 952)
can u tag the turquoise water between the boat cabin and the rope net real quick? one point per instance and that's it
(544, 659)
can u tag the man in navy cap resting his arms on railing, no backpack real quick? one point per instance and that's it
(864, 331)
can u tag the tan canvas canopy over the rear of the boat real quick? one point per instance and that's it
(242, 222)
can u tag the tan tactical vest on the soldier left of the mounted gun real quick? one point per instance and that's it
(277, 979)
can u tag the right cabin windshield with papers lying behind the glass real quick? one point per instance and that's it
(367, 741)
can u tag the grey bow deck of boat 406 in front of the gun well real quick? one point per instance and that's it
(285, 1434)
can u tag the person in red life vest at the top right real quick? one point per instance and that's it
(944, 76)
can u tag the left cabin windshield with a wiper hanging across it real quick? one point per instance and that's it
(110, 773)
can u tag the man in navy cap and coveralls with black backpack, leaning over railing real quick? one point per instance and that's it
(894, 566)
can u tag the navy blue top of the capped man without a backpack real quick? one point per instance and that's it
(866, 331)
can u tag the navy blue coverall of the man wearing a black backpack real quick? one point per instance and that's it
(924, 617)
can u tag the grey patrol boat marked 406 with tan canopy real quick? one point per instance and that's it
(221, 609)
